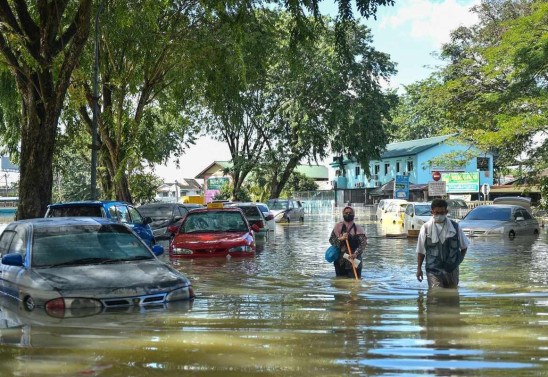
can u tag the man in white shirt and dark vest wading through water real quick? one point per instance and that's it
(443, 244)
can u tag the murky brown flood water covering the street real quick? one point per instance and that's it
(283, 313)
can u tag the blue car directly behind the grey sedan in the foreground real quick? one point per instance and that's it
(122, 212)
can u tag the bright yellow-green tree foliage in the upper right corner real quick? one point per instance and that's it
(494, 87)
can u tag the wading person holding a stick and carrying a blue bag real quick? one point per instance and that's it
(355, 234)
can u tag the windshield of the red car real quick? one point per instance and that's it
(214, 221)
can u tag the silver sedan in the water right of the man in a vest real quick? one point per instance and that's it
(499, 220)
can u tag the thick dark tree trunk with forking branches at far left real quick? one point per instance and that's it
(41, 44)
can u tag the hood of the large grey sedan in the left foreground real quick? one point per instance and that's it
(120, 279)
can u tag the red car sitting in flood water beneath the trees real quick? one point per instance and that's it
(213, 232)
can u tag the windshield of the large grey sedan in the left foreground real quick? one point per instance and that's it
(86, 244)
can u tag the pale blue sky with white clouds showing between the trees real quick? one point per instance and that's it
(410, 32)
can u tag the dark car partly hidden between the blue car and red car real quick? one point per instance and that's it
(164, 215)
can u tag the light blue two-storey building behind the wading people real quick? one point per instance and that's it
(419, 162)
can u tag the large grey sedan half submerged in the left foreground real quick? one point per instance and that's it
(77, 266)
